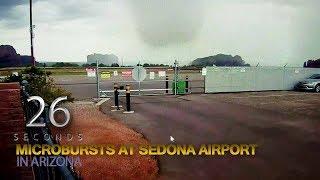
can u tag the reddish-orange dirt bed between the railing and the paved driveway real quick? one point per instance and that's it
(97, 128)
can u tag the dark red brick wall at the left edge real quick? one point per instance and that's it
(11, 121)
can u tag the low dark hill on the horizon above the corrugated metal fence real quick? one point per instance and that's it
(220, 60)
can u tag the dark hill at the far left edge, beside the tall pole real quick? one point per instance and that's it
(10, 58)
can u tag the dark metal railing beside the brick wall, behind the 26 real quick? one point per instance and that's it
(43, 172)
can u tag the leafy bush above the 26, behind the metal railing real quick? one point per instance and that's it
(40, 84)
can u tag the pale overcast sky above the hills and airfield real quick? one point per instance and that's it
(271, 32)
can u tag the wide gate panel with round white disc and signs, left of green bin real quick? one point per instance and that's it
(143, 81)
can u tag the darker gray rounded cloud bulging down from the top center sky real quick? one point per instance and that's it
(166, 22)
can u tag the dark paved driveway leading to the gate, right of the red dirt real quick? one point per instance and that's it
(289, 147)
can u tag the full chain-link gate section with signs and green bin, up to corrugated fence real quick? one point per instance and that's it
(148, 80)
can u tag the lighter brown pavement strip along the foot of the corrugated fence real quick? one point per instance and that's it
(291, 103)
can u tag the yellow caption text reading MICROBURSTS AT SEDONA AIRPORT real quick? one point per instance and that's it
(155, 150)
